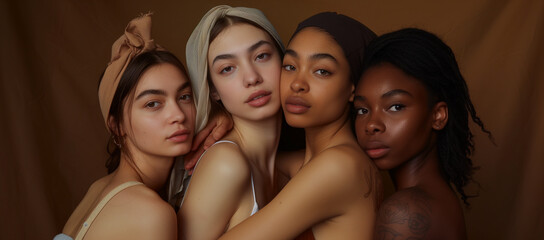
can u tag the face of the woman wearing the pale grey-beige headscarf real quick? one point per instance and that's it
(244, 66)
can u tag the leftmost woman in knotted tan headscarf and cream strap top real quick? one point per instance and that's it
(147, 104)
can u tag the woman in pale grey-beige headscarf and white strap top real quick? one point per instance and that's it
(234, 60)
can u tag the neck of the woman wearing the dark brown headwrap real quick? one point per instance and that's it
(319, 138)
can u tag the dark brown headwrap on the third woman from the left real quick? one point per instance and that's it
(349, 33)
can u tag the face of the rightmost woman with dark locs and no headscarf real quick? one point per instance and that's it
(394, 121)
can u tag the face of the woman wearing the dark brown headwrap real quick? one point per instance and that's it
(315, 85)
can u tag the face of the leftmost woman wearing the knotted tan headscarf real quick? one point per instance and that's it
(162, 113)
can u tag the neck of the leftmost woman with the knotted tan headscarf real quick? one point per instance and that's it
(153, 171)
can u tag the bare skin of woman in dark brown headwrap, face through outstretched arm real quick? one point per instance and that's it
(329, 191)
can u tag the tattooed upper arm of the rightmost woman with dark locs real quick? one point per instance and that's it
(405, 214)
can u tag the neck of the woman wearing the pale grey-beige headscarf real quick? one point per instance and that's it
(258, 140)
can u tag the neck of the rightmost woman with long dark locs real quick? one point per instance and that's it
(421, 170)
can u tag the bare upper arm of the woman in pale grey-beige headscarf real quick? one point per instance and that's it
(214, 193)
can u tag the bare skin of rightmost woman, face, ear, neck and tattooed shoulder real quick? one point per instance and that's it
(397, 124)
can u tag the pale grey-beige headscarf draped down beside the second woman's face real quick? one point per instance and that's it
(197, 52)
